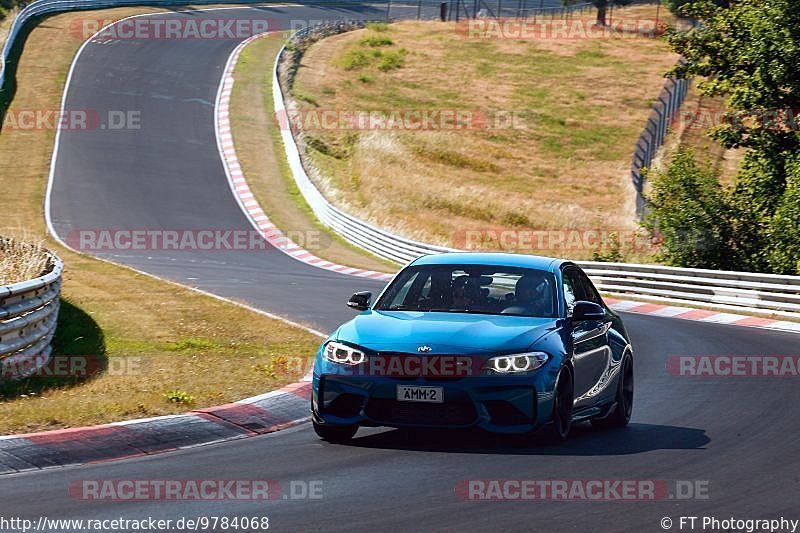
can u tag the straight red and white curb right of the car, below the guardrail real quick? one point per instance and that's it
(701, 315)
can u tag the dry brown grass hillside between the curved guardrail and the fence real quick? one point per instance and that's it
(580, 106)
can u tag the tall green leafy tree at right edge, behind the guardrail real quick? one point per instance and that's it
(748, 53)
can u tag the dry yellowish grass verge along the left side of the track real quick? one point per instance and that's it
(159, 337)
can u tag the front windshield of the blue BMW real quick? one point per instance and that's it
(484, 289)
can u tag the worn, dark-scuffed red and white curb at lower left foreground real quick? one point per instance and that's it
(258, 415)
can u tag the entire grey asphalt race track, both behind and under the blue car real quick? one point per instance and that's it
(739, 436)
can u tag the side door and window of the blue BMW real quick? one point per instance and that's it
(591, 351)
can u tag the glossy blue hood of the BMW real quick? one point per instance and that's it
(445, 333)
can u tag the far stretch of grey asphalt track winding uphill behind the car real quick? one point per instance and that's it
(168, 174)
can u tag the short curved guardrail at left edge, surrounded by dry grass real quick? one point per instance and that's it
(28, 315)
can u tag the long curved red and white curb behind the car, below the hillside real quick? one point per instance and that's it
(242, 191)
